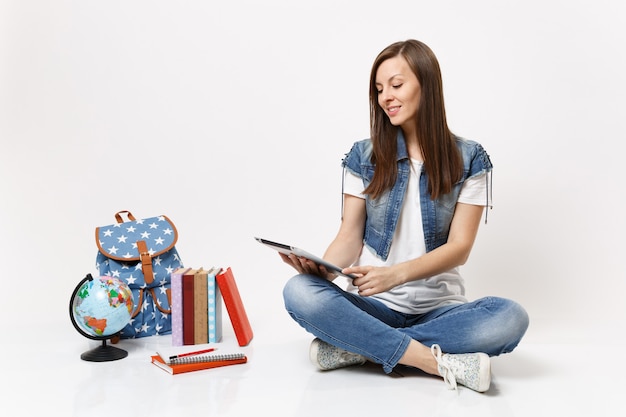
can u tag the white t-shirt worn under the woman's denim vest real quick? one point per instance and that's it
(421, 296)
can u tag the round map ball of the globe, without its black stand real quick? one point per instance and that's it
(102, 306)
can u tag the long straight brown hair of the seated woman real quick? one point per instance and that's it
(442, 160)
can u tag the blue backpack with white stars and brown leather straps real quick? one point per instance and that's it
(142, 253)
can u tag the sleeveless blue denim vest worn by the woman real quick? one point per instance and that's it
(384, 211)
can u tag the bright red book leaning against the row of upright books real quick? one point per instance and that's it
(234, 305)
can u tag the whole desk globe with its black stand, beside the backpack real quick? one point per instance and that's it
(99, 309)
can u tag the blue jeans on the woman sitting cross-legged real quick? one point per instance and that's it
(366, 326)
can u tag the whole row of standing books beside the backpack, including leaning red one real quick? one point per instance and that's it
(197, 296)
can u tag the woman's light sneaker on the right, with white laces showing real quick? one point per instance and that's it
(472, 370)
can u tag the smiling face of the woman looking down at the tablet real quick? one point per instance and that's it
(399, 92)
